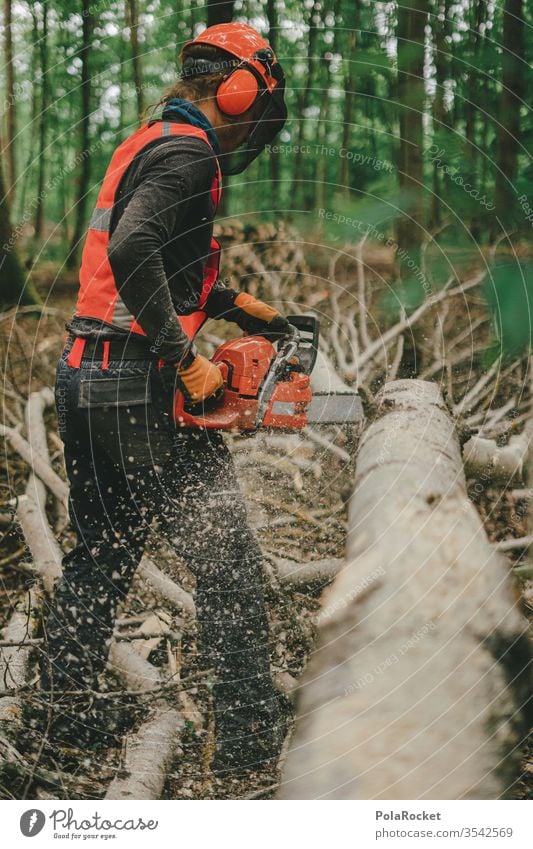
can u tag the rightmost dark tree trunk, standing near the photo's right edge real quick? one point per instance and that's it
(508, 128)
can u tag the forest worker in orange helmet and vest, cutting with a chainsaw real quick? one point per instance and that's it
(148, 281)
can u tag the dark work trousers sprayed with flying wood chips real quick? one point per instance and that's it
(127, 465)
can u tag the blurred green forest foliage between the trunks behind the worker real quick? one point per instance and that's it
(340, 146)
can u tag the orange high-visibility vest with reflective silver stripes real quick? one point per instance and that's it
(98, 295)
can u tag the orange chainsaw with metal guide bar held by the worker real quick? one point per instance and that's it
(269, 388)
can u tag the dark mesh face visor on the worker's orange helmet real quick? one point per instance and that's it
(263, 132)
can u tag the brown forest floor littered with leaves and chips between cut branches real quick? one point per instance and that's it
(297, 505)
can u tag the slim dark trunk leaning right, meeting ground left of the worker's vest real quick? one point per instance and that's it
(84, 130)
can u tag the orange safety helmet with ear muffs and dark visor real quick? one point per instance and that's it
(253, 73)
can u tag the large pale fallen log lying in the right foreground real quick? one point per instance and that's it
(418, 683)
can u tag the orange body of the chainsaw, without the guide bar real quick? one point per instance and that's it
(245, 363)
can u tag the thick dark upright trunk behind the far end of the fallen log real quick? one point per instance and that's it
(412, 18)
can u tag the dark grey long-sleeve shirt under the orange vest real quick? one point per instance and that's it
(161, 229)
